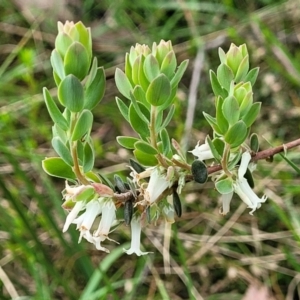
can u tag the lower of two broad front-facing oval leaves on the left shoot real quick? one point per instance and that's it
(70, 93)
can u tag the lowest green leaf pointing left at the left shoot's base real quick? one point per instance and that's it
(56, 167)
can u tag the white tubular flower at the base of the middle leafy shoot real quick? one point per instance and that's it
(156, 186)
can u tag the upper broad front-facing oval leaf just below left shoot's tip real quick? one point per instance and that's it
(77, 61)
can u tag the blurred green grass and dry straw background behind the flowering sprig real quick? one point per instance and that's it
(204, 255)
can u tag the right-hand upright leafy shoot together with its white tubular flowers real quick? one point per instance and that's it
(235, 113)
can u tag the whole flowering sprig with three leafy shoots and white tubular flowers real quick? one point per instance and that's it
(161, 168)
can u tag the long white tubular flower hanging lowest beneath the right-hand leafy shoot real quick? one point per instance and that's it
(242, 188)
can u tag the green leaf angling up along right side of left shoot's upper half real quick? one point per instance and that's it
(95, 91)
